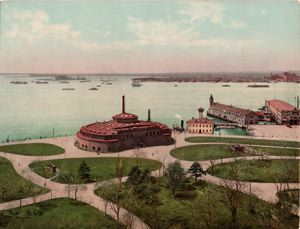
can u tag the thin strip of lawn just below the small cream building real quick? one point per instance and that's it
(244, 141)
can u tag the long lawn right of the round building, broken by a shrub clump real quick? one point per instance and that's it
(213, 152)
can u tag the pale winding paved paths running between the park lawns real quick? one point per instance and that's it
(265, 191)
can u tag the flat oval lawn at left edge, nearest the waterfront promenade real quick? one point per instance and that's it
(33, 149)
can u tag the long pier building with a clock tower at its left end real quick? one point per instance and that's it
(231, 113)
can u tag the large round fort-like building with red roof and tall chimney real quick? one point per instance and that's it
(124, 131)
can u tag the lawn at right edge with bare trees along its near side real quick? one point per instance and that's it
(257, 170)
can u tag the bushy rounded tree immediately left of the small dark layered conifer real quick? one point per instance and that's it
(175, 176)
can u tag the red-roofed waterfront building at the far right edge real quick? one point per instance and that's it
(283, 112)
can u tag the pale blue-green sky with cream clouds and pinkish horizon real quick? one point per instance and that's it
(73, 36)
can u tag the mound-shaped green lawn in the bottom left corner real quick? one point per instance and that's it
(61, 213)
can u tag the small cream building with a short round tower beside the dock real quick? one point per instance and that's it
(200, 125)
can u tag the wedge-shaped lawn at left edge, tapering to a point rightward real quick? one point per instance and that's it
(13, 186)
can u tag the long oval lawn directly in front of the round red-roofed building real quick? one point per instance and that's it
(101, 168)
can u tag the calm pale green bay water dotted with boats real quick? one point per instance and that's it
(33, 110)
